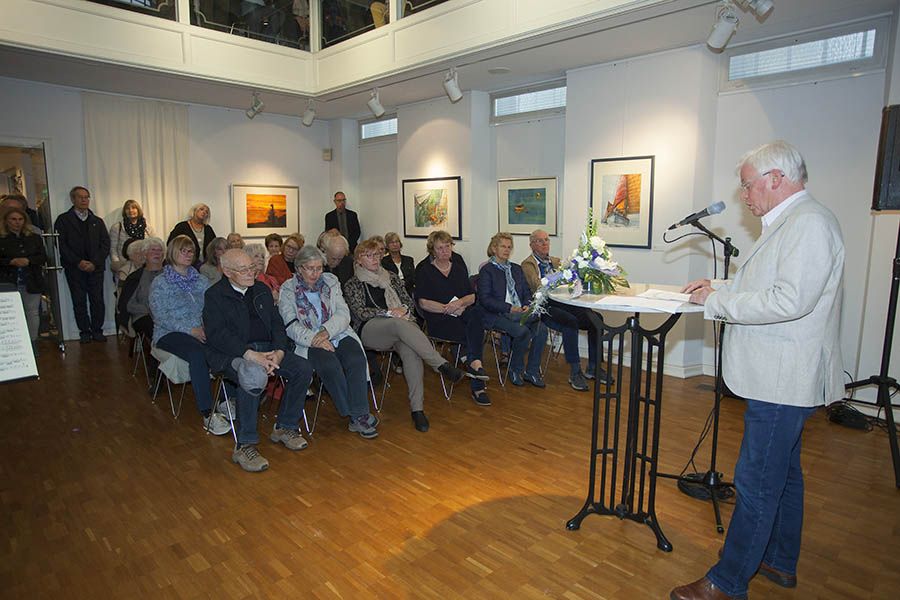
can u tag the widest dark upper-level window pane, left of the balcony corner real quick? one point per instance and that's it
(282, 22)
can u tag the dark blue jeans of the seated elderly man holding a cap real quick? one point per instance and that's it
(297, 373)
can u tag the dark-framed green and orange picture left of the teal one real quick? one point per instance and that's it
(431, 204)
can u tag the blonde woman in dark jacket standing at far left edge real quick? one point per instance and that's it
(21, 257)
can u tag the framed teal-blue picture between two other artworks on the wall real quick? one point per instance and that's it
(527, 204)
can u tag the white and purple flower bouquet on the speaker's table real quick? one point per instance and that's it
(590, 269)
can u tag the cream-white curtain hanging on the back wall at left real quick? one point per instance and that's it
(137, 149)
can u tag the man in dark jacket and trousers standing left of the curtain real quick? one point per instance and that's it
(83, 248)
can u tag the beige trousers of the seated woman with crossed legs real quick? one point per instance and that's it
(407, 340)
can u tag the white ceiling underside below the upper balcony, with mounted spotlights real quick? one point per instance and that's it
(540, 58)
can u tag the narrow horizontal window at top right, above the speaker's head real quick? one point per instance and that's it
(822, 54)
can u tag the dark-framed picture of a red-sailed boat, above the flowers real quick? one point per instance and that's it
(622, 200)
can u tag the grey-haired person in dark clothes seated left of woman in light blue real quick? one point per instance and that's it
(134, 299)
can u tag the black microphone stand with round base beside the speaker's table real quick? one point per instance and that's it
(711, 485)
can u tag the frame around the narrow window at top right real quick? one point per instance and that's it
(877, 62)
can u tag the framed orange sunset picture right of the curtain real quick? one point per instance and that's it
(258, 210)
